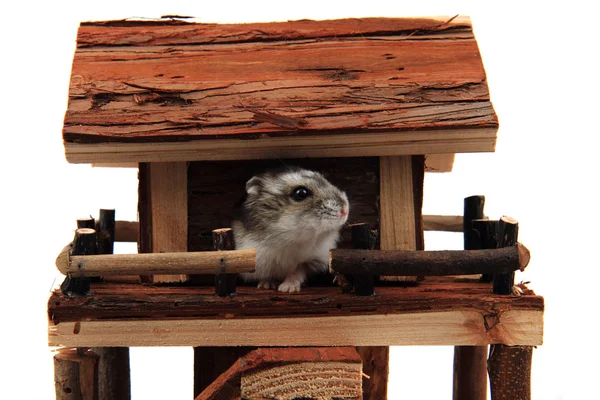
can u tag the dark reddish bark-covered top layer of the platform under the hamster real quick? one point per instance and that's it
(141, 302)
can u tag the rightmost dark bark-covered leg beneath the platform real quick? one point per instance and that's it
(509, 368)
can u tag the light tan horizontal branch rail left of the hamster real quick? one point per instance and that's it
(209, 262)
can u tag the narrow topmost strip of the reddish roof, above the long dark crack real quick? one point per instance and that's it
(165, 32)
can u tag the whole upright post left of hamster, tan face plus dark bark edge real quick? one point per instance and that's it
(163, 211)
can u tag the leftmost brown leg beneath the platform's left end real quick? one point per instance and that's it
(76, 375)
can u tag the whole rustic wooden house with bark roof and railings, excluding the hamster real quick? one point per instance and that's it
(200, 108)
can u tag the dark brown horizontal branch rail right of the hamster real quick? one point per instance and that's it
(428, 263)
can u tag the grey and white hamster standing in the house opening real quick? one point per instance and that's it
(292, 217)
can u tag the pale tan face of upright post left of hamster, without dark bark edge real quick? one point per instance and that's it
(168, 202)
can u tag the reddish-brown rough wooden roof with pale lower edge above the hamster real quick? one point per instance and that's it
(175, 91)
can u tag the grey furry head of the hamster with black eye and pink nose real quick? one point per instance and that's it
(293, 200)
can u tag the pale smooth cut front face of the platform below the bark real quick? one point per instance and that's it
(466, 327)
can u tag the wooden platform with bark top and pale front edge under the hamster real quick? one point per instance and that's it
(439, 311)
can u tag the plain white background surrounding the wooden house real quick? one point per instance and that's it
(541, 61)
